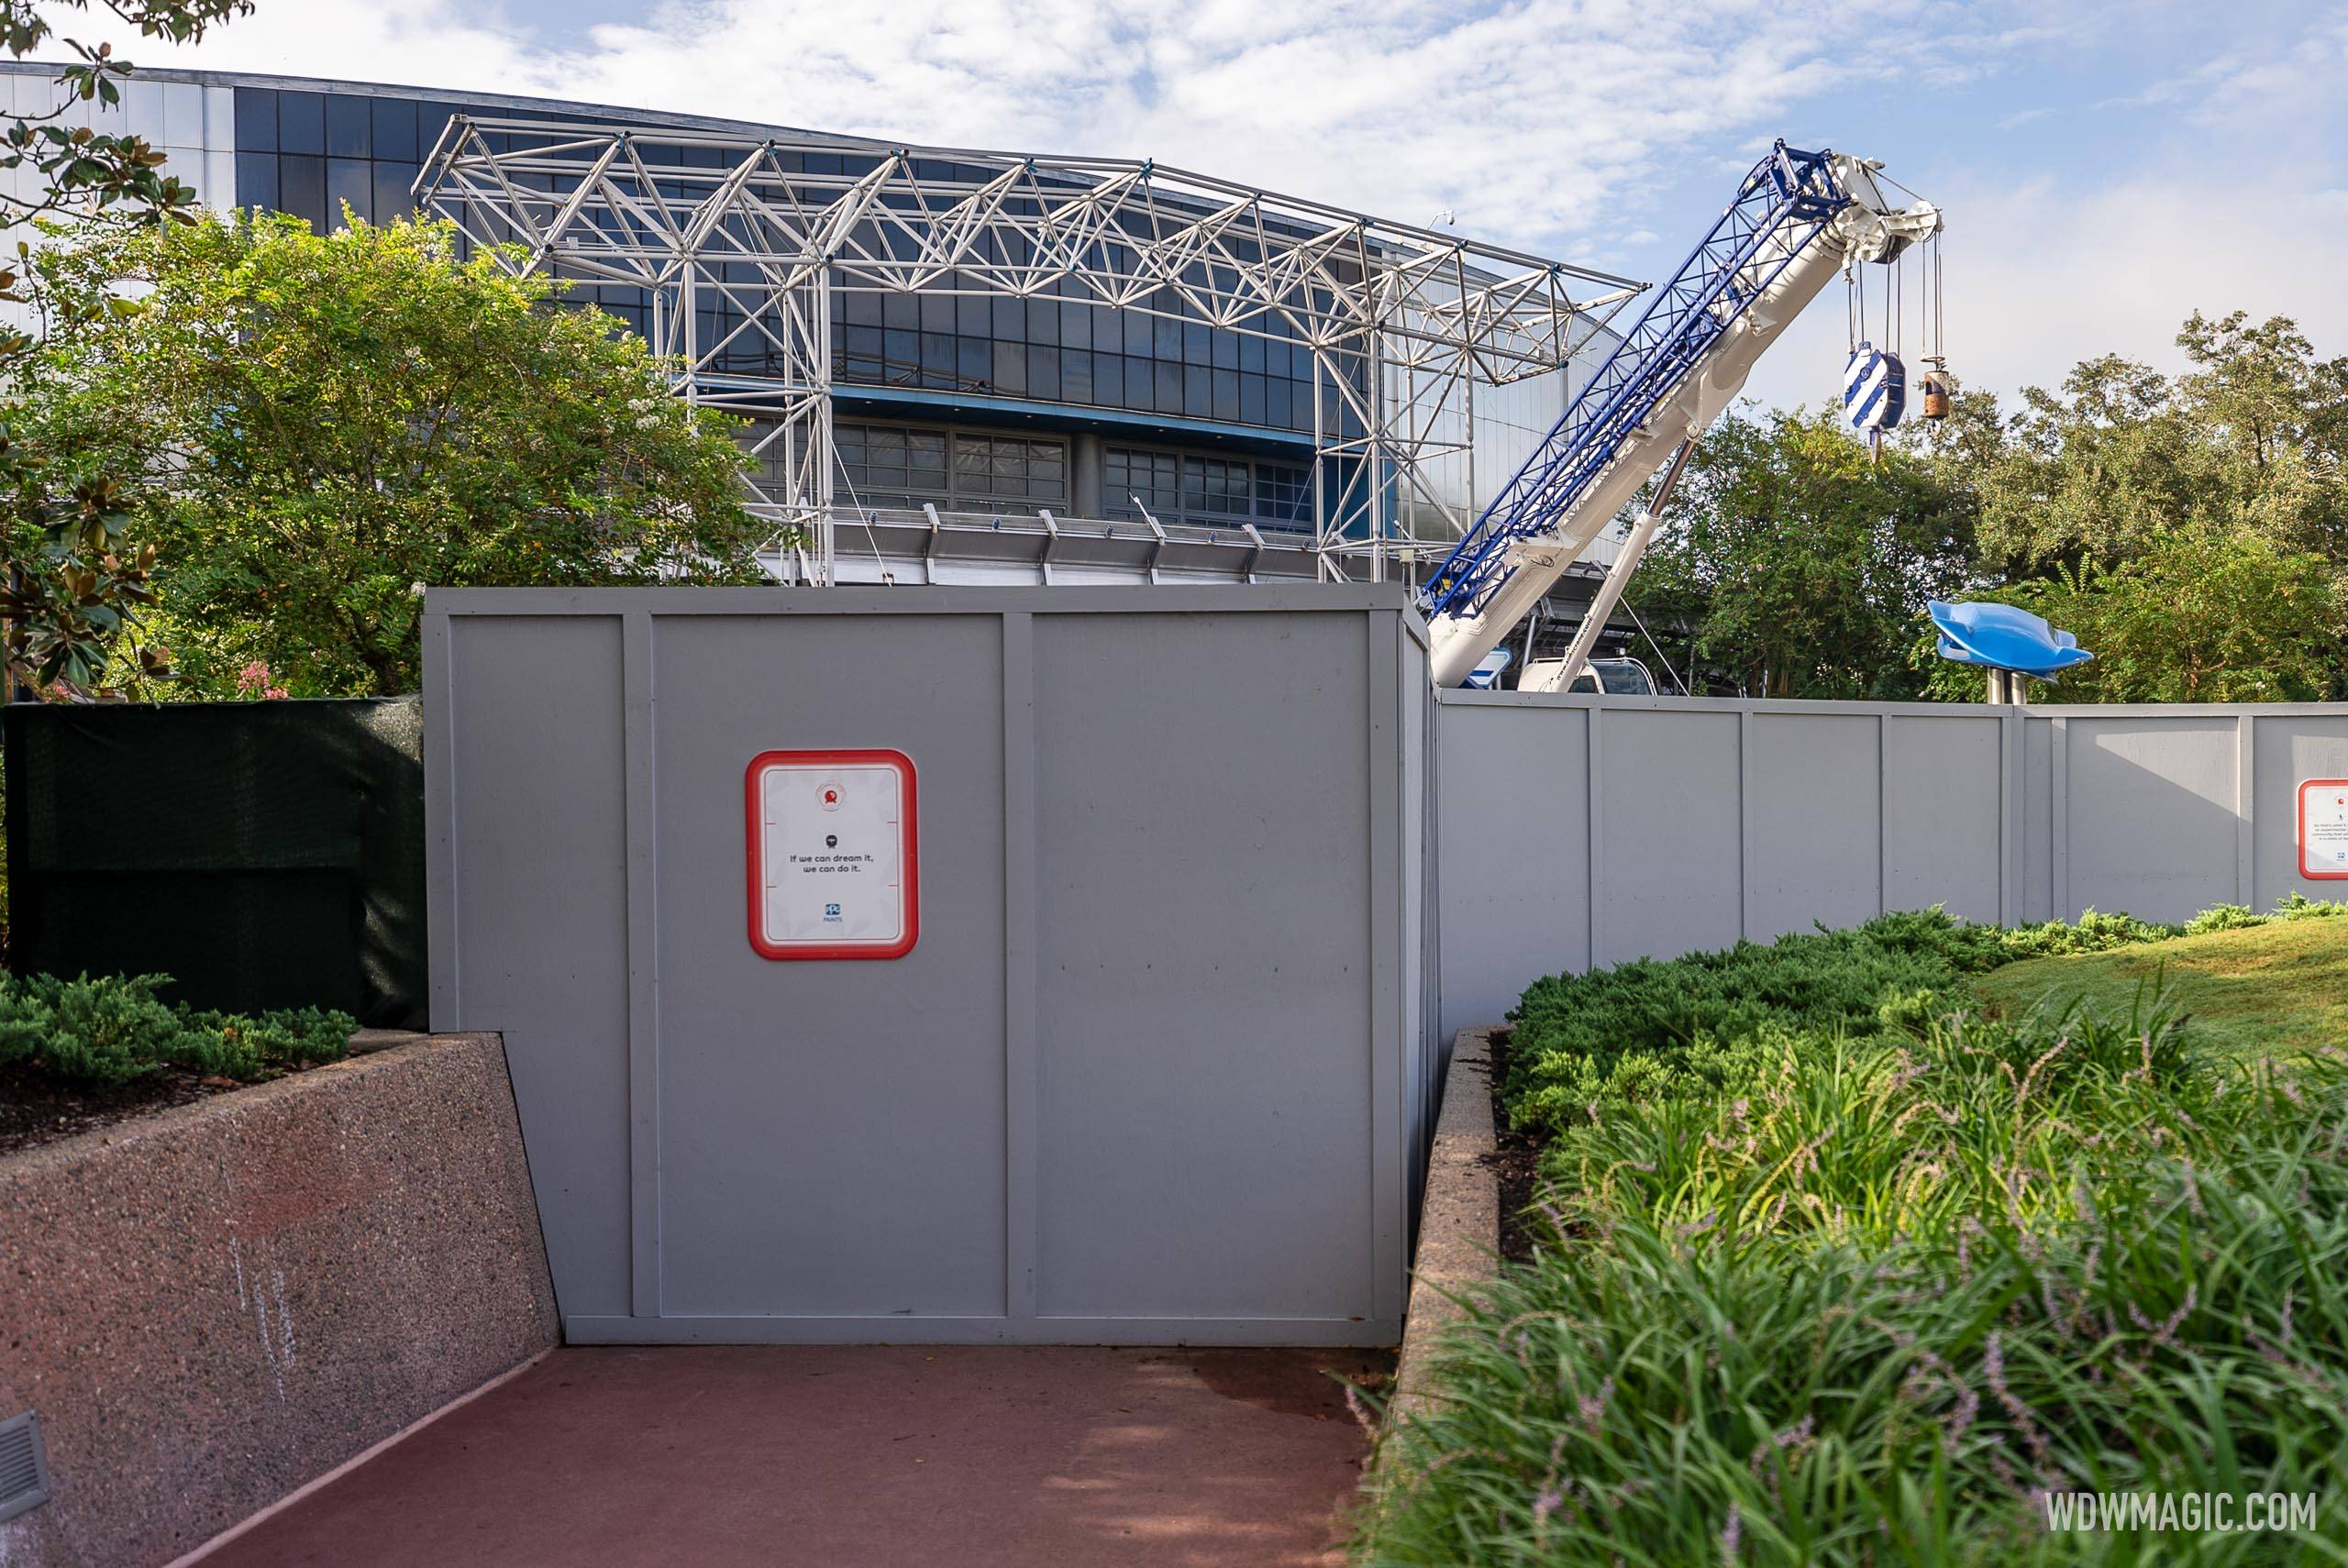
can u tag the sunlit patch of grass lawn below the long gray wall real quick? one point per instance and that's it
(2269, 989)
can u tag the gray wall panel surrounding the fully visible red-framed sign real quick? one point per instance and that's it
(807, 1079)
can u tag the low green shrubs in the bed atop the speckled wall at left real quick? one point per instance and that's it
(114, 1029)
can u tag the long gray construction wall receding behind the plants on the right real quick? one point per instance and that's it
(1581, 832)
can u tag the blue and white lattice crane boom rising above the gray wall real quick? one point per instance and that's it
(1797, 222)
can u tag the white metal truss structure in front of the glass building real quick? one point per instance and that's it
(764, 234)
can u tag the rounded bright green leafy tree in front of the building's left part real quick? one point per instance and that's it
(325, 424)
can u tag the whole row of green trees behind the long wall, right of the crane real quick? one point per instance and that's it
(2190, 529)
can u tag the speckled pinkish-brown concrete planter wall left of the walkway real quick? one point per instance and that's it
(224, 1302)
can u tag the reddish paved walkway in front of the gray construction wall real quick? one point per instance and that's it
(858, 1459)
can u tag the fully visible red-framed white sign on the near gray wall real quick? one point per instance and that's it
(835, 858)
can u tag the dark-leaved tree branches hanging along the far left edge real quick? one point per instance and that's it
(72, 586)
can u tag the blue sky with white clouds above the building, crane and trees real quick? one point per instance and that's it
(2105, 168)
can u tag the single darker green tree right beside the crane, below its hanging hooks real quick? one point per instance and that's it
(1797, 565)
